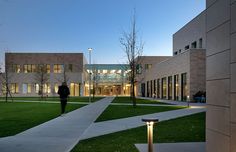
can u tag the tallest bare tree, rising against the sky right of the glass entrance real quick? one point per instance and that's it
(133, 49)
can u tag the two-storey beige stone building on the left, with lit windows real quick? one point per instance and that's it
(25, 76)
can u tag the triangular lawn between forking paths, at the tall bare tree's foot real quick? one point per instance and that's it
(124, 111)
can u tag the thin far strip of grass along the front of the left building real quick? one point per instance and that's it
(71, 99)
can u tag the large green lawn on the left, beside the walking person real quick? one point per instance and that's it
(17, 117)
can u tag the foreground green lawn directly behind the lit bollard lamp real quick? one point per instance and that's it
(185, 129)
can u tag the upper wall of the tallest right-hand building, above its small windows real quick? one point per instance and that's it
(192, 31)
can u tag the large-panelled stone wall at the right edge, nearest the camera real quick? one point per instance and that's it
(221, 75)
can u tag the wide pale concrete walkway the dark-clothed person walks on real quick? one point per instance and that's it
(58, 135)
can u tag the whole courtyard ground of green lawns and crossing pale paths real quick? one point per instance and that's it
(107, 124)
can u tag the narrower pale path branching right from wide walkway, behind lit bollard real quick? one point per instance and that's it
(106, 127)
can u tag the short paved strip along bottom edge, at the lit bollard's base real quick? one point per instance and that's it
(174, 147)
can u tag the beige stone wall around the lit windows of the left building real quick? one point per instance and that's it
(76, 76)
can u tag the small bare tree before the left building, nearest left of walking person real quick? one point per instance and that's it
(41, 77)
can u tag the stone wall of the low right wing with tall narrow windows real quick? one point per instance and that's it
(191, 62)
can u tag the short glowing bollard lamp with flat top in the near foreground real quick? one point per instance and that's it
(150, 122)
